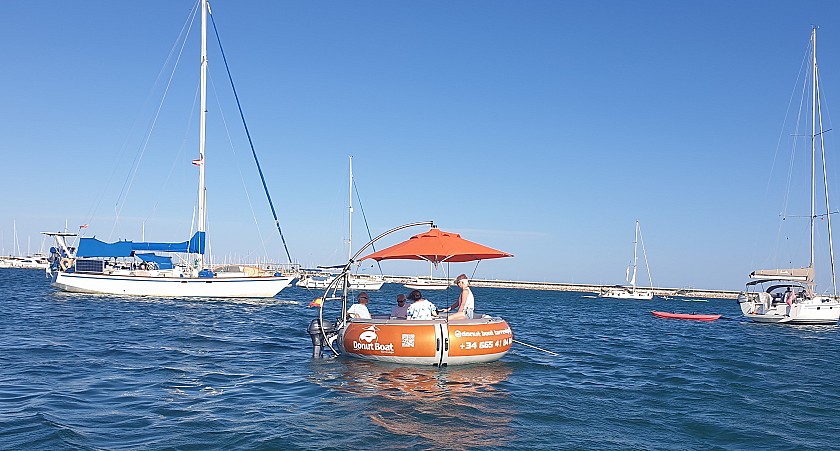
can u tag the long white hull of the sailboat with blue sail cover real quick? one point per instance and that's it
(232, 287)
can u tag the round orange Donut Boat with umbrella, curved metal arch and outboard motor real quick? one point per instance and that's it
(440, 341)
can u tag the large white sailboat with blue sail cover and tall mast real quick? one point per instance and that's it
(133, 268)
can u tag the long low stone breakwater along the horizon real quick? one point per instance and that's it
(585, 288)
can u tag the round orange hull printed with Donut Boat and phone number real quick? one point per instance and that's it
(427, 342)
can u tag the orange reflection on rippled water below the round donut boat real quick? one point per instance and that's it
(452, 407)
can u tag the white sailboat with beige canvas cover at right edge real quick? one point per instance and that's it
(788, 295)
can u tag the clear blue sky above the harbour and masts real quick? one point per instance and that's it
(542, 128)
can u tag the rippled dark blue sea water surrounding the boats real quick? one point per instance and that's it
(103, 372)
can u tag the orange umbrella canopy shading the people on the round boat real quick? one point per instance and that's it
(437, 246)
